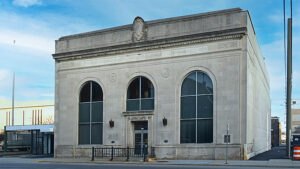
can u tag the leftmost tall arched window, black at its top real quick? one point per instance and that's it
(90, 114)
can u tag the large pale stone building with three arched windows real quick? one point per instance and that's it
(173, 84)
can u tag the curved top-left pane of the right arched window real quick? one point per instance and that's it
(189, 85)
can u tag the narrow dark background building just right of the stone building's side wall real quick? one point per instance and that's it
(275, 132)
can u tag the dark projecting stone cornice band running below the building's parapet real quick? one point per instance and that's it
(150, 45)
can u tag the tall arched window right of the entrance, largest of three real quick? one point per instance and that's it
(196, 120)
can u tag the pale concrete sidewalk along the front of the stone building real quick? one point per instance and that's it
(271, 163)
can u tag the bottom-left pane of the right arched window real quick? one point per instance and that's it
(188, 131)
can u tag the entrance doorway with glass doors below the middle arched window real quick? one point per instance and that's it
(140, 137)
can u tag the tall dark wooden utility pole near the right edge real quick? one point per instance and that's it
(289, 89)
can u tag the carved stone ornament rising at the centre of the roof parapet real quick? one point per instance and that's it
(139, 30)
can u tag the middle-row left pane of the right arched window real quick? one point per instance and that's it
(188, 107)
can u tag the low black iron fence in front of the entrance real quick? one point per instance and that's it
(128, 153)
